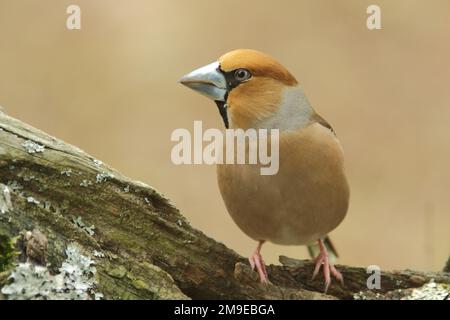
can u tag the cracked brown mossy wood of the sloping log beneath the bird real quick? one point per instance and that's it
(151, 251)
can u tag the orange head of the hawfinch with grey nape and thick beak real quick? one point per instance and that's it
(250, 88)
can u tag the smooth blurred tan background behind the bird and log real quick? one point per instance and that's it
(111, 88)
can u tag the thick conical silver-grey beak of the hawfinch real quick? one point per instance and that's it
(207, 80)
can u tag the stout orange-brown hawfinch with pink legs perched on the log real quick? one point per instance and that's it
(309, 195)
